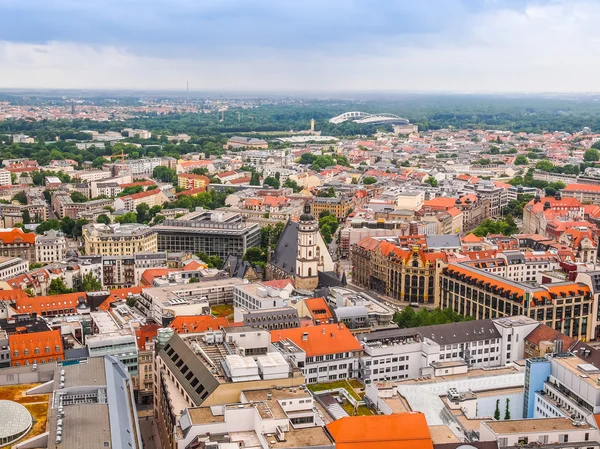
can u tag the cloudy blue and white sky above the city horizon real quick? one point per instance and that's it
(302, 45)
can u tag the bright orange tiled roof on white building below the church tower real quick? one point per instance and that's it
(322, 340)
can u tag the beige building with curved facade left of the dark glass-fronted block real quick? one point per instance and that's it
(119, 240)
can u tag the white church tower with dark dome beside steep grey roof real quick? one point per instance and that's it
(307, 259)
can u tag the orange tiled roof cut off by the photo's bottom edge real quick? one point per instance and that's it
(395, 431)
